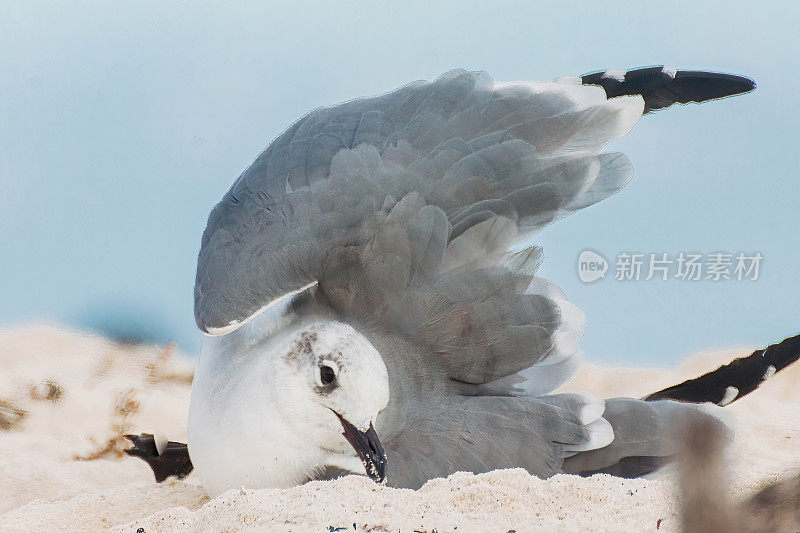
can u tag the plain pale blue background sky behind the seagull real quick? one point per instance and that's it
(122, 123)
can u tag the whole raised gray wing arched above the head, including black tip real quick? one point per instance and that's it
(400, 207)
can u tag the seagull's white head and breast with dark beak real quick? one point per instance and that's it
(277, 406)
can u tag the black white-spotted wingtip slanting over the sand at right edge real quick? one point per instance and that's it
(745, 374)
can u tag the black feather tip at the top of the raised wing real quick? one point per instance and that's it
(662, 87)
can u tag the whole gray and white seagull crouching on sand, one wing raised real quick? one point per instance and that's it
(368, 293)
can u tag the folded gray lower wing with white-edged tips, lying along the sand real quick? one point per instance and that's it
(479, 434)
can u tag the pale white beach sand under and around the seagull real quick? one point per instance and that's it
(42, 486)
